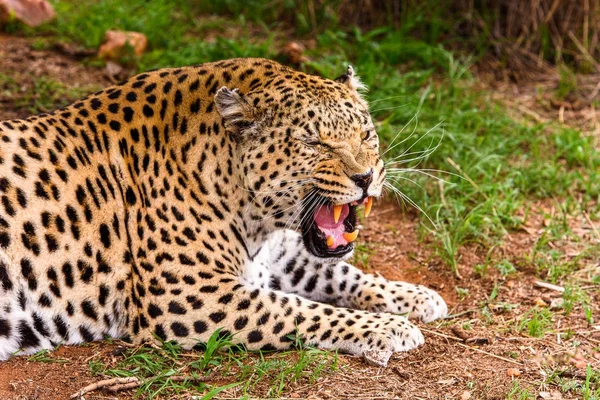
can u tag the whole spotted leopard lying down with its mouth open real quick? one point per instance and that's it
(223, 197)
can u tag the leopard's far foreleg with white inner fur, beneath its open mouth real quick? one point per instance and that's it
(293, 269)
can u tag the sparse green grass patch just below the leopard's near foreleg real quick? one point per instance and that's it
(235, 368)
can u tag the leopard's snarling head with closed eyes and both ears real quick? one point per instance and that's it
(310, 156)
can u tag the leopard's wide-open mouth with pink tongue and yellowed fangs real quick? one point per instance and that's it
(331, 229)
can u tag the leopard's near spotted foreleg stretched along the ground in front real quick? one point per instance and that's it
(267, 319)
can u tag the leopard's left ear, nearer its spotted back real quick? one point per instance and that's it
(238, 114)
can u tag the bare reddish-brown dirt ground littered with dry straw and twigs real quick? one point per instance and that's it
(481, 362)
